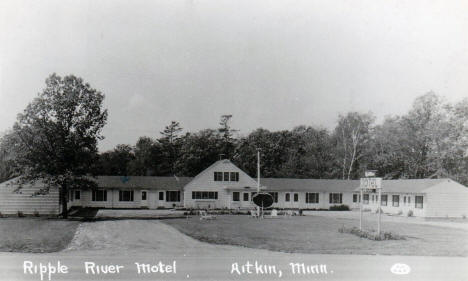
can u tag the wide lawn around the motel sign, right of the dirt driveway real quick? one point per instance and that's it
(319, 235)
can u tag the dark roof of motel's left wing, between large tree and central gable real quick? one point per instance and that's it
(143, 182)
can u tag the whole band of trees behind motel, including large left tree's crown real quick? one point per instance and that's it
(429, 141)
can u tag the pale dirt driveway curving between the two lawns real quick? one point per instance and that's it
(136, 236)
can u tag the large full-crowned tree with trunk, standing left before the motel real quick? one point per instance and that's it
(57, 135)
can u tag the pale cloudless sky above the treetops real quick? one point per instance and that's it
(271, 64)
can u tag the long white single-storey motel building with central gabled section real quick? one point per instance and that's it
(224, 186)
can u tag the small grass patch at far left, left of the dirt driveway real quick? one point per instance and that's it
(35, 235)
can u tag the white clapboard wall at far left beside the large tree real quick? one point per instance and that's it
(24, 200)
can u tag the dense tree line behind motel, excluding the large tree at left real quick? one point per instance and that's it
(429, 141)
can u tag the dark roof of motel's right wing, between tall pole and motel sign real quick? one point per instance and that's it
(312, 185)
